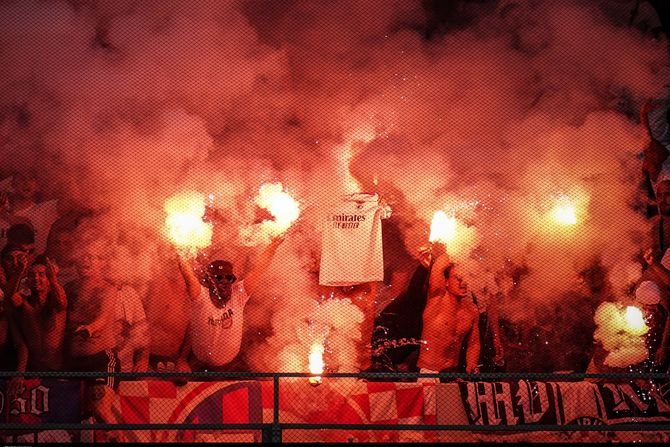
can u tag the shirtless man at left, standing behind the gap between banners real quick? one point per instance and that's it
(91, 330)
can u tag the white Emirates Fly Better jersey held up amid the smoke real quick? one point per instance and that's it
(351, 252)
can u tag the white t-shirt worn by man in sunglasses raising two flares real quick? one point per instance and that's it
(216, 333)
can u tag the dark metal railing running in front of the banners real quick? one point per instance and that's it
(272, 431)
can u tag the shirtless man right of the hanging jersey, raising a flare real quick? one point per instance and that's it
(448, 320)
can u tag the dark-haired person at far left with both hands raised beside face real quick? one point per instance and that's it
(40, 314)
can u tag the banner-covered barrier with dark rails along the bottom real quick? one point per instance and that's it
(339, 407)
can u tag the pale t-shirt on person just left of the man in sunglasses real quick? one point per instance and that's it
(135, 330)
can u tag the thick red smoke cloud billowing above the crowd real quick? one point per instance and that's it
(121, 105)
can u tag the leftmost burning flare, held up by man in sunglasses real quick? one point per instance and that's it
(184, 223)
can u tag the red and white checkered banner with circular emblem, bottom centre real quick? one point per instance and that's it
(334, 401)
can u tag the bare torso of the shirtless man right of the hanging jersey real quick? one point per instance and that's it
(446, 323)
